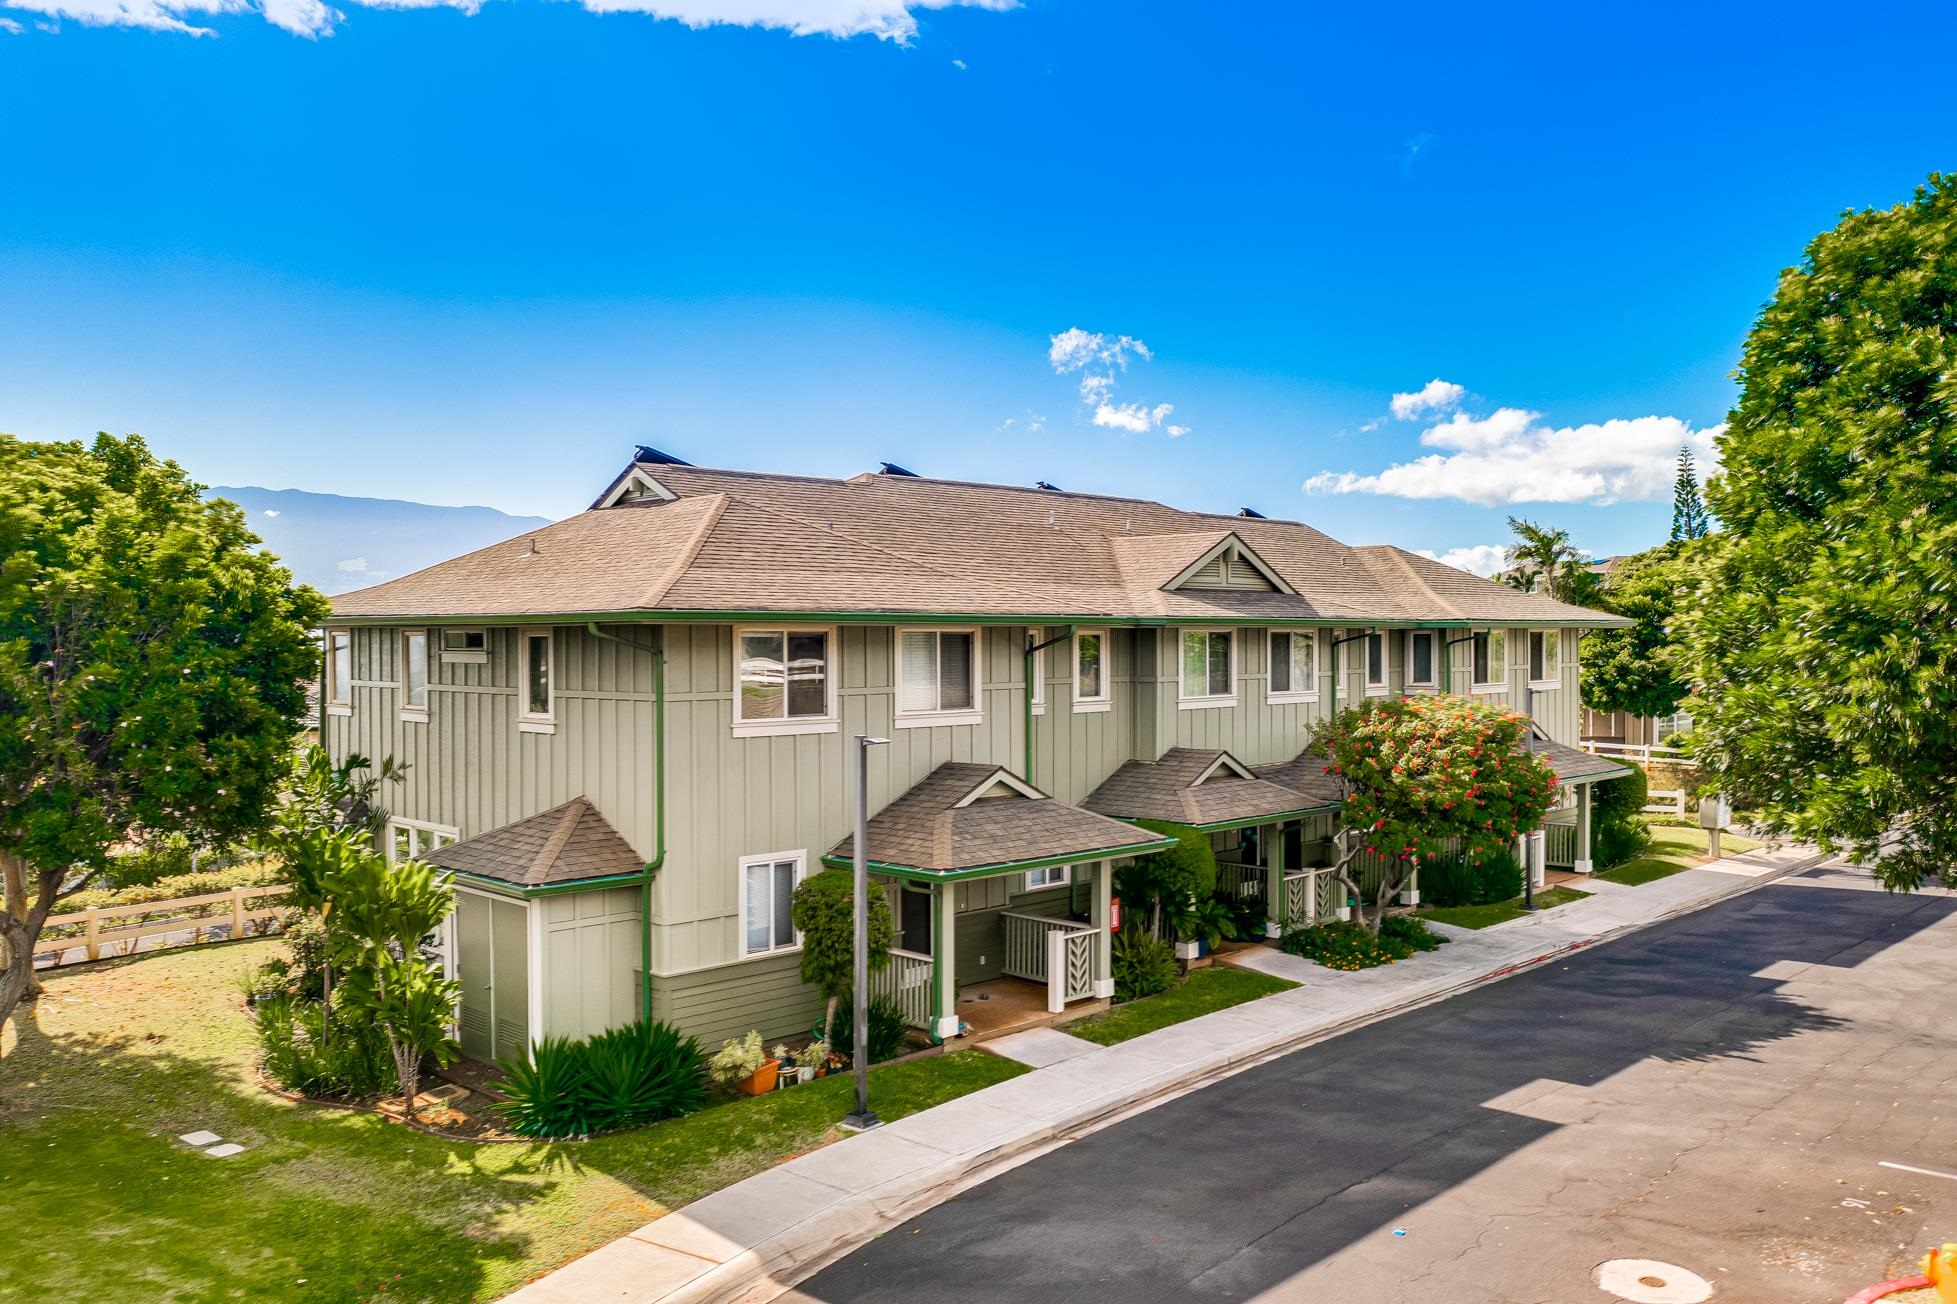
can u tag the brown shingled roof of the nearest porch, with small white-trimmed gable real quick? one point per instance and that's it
(929, 829)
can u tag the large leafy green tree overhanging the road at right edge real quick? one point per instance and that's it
(1823, 647)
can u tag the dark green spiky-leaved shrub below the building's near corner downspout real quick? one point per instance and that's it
(625, 1078)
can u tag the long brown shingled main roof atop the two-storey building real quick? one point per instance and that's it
(747, 541)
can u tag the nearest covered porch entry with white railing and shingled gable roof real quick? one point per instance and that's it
(1001, 894)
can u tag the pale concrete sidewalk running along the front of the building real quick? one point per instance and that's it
(756, 1238)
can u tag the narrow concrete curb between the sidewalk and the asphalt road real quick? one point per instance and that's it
(784, 1260)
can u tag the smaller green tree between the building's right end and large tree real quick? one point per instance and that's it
(1637, 669)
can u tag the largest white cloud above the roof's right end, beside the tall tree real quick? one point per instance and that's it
(1514, 457)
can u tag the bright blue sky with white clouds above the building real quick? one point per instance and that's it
(471, 257)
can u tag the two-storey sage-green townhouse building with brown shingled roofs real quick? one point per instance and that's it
(631, 733)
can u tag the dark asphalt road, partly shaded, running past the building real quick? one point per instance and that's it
(1713, 1094)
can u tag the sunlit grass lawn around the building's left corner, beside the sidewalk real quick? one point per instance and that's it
(103, 1074)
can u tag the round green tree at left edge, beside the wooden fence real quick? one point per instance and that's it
(154, 671)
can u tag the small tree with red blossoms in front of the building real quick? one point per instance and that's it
(1430, 776)
